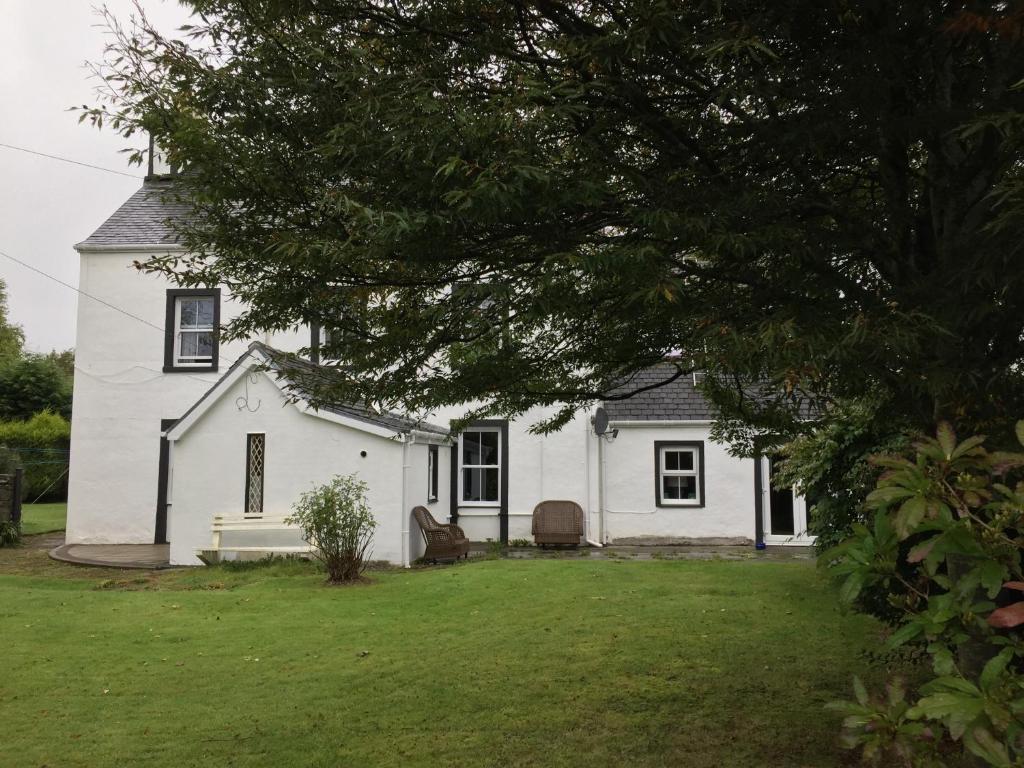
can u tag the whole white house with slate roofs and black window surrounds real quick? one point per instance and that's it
(172, 429)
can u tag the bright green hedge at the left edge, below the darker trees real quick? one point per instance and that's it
(40, 446)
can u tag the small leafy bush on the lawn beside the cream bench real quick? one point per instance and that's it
(336, 522)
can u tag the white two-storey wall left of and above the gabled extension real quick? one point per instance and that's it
(121, 395)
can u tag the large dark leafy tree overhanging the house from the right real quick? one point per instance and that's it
(524, 202)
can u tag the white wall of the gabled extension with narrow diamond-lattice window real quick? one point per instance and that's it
(209, 471)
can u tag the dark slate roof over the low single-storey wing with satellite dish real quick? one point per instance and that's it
(678, 401)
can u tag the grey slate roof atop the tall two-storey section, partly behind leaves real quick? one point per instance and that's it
(142, 221)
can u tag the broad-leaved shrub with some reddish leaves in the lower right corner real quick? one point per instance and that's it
(946, 542)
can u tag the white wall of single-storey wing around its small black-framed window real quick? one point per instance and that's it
(631, 511)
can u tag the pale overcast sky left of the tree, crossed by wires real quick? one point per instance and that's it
(47, 206)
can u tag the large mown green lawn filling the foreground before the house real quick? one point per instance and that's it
(501, 663)
